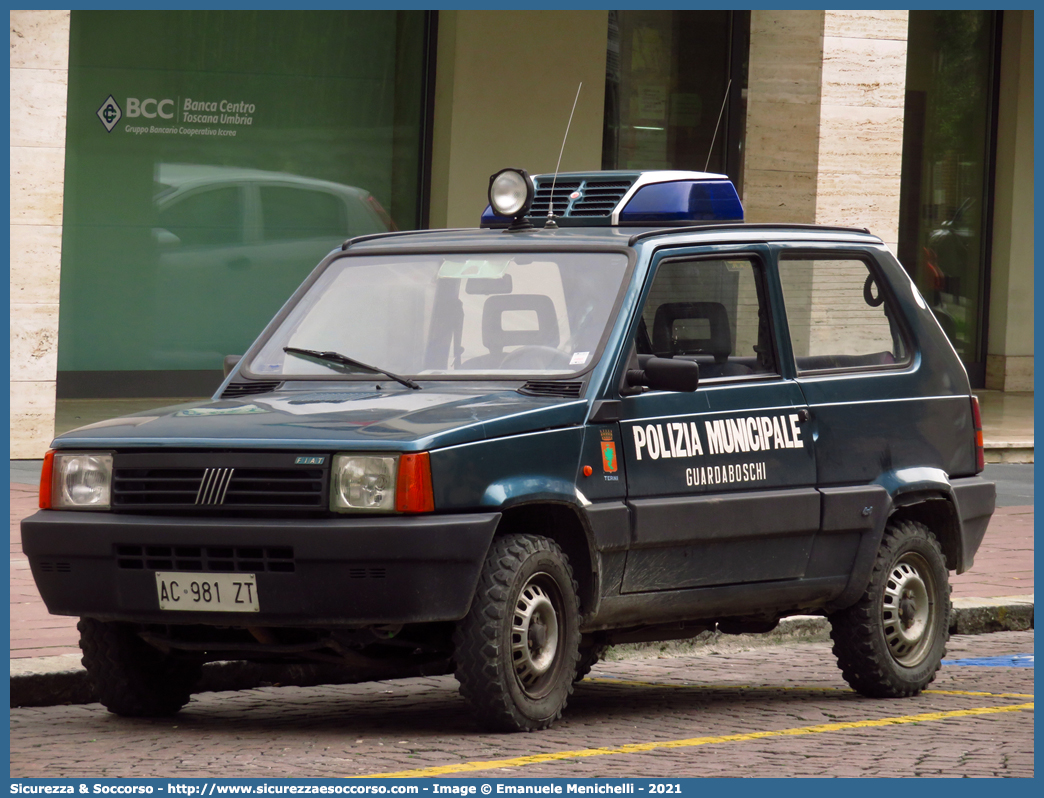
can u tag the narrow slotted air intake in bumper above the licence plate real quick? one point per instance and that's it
(216, 559)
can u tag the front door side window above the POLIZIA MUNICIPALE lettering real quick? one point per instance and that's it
(711, 312)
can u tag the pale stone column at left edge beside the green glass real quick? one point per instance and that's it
(39, 89)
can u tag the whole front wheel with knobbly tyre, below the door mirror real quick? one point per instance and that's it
(527, 583)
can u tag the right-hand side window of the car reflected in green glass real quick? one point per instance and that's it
(292, 214)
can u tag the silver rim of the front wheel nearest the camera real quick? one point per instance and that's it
(535, 636)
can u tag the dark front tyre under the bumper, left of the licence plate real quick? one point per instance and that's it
(133, 678)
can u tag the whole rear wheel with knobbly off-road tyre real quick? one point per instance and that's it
(910, 564)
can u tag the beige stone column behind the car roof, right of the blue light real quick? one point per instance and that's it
(825, 119)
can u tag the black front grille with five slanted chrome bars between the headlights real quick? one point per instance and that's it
(226, 483)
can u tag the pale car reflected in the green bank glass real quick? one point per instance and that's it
(245, 238)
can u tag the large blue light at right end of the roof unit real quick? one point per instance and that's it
(684, 201)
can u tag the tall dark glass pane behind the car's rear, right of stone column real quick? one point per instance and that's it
(945, 209)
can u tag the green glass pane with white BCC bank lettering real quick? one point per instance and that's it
(213, 158)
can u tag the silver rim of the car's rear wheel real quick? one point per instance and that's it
(909, 612)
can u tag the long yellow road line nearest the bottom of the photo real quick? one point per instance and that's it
(635, 748)
